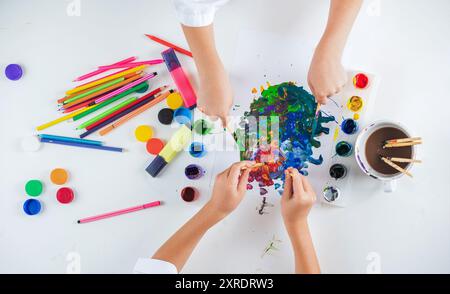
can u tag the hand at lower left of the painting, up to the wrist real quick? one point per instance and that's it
(229, 189)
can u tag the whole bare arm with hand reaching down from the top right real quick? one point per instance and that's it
(326, 75)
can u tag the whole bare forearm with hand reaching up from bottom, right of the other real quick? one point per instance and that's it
(296, 202)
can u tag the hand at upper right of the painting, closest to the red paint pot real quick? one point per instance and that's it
(326, 76)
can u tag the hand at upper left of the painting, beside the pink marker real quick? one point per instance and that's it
(215, 95)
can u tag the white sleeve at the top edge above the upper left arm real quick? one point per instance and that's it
(197, 13)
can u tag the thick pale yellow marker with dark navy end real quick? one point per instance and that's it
(177, 143)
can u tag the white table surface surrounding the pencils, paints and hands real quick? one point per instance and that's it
(404, 42)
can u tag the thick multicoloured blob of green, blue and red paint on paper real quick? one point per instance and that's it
(287, 112)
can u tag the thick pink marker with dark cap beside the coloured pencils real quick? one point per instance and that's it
(180, 78)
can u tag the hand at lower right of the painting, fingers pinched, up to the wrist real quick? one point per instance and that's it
(297, 199)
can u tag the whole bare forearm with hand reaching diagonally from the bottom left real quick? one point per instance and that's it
(229, 189)
